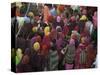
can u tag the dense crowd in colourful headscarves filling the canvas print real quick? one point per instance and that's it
(52, 37)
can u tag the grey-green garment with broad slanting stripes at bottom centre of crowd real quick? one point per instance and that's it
(53, 60)
